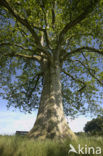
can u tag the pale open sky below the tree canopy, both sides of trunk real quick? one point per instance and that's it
(12, 121)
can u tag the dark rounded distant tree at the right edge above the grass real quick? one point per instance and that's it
(95, 126)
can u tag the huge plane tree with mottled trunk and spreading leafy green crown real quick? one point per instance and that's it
(51, 60)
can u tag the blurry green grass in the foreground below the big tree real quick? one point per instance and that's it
(22, 146)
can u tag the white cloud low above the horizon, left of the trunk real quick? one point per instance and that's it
(10, 122)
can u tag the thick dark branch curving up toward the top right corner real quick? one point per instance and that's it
(80, 18)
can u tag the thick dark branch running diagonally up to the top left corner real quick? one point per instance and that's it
(21, 20)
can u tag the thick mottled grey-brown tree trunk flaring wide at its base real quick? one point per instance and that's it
(51, 122)
